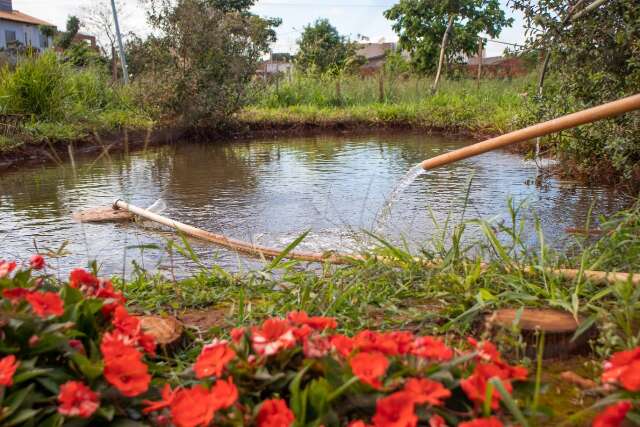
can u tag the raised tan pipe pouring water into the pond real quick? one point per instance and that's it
(604, 111)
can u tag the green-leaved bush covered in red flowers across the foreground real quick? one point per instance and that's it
(72, 354)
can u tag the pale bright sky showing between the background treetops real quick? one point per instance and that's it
(350, 17)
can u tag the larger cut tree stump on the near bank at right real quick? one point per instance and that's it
(559, 328)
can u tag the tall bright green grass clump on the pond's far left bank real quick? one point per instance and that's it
(58, 102)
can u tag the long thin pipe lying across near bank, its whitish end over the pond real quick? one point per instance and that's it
(337, 258)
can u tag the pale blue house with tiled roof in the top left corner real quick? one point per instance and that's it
(18, 29)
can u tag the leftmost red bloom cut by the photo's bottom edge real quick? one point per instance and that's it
(192, 407)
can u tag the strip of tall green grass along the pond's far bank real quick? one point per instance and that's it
(458, 105)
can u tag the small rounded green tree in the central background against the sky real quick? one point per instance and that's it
(322, 49)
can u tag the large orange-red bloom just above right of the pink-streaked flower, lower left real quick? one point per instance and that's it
(127, 372)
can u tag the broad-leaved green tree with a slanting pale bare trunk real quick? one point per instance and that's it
(435, 30)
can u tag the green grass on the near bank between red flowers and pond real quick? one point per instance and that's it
(401, 294)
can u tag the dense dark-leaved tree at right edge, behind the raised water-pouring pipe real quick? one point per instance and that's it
(593, 51)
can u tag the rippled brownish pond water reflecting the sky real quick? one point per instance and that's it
(270, 192)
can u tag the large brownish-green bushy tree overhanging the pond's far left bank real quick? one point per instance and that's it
(201, 57)
